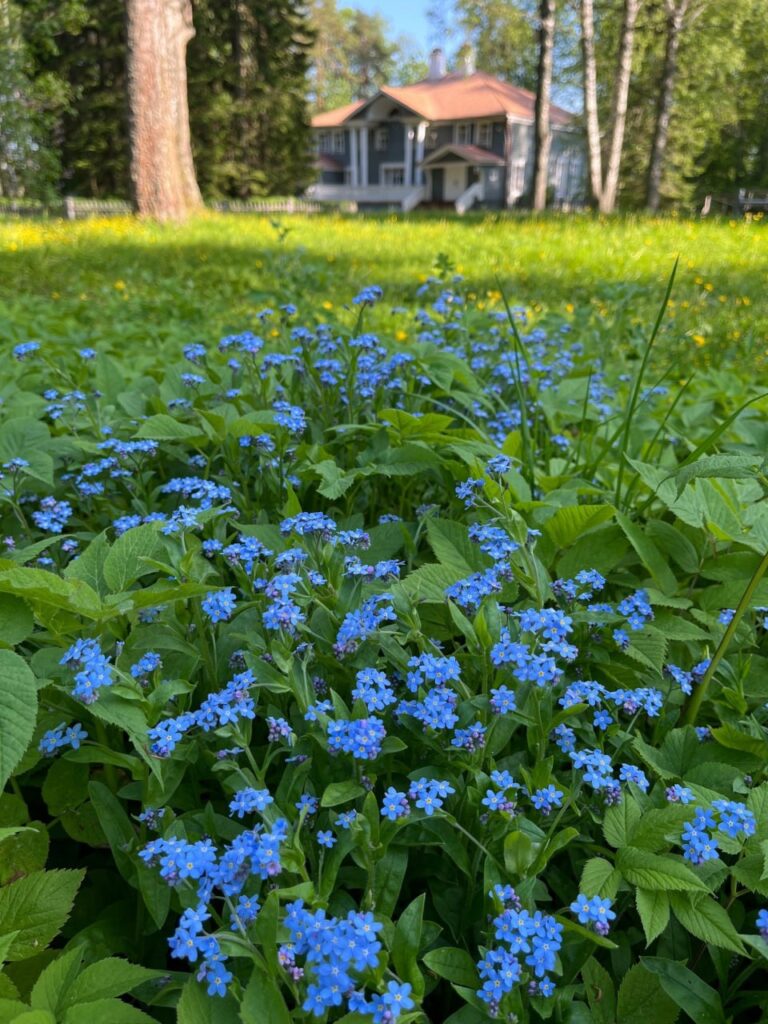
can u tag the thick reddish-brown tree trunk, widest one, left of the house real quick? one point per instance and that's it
(162, 168)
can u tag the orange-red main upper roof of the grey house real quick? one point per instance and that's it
(453, 98)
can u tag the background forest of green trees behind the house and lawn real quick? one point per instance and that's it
(258, 71)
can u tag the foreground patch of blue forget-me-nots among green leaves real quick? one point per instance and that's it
(383, 665)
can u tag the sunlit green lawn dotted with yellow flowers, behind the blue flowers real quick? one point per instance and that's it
(124, 282)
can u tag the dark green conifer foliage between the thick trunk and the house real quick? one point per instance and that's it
(248, 68)
